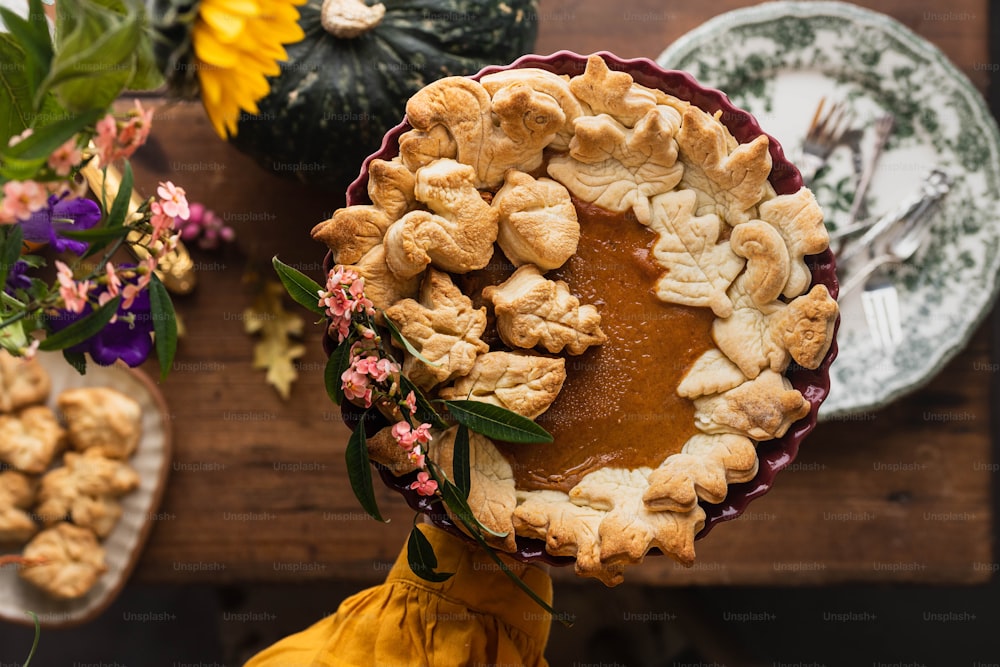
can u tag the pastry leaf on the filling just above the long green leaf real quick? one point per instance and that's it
(523, 383)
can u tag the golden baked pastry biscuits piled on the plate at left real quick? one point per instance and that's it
(62, 475)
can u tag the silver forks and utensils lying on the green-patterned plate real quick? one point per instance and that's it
(866, 248)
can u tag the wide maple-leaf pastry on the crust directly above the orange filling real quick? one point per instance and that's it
(618, 168)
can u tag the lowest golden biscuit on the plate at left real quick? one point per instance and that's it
(71, 558)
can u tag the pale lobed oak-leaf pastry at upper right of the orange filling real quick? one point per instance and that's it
(698, 269)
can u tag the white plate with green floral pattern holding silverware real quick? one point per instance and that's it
(777, 60)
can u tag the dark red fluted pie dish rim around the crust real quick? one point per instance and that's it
(785, 178)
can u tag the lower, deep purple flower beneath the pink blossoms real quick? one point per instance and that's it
(128, 338)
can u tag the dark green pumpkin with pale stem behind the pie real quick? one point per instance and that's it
(347, 82)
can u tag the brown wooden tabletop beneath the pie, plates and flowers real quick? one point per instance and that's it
(258, 489)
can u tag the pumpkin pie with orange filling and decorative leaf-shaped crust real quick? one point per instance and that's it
(606, 259)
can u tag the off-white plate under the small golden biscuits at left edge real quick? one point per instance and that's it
(124, 545)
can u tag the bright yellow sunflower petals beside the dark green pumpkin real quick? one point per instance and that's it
(237, 45)
